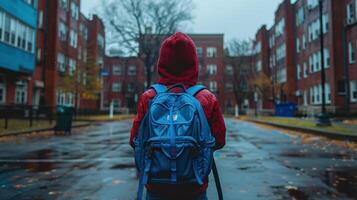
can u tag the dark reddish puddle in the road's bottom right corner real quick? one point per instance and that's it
(343, 180)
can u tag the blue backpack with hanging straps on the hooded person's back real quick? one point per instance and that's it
(174, 144)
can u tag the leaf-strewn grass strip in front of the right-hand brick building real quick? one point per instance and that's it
(338, 130)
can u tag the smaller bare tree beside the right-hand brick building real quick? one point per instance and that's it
(239, 56)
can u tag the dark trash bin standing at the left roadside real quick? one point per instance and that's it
(64, 119)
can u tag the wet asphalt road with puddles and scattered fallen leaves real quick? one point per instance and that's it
(97, 163)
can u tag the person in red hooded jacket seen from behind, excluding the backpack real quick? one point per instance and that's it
(178, 63)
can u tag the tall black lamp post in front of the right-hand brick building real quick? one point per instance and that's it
(323, 118)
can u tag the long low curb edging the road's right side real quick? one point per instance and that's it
(328, 134)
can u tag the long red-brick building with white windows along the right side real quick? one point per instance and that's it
(295, 54)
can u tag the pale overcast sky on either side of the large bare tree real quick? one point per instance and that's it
(235, 18)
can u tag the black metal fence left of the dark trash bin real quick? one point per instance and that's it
(25, 112)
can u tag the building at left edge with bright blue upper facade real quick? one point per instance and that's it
(17, 50)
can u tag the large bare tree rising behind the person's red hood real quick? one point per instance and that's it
(139, 26)
